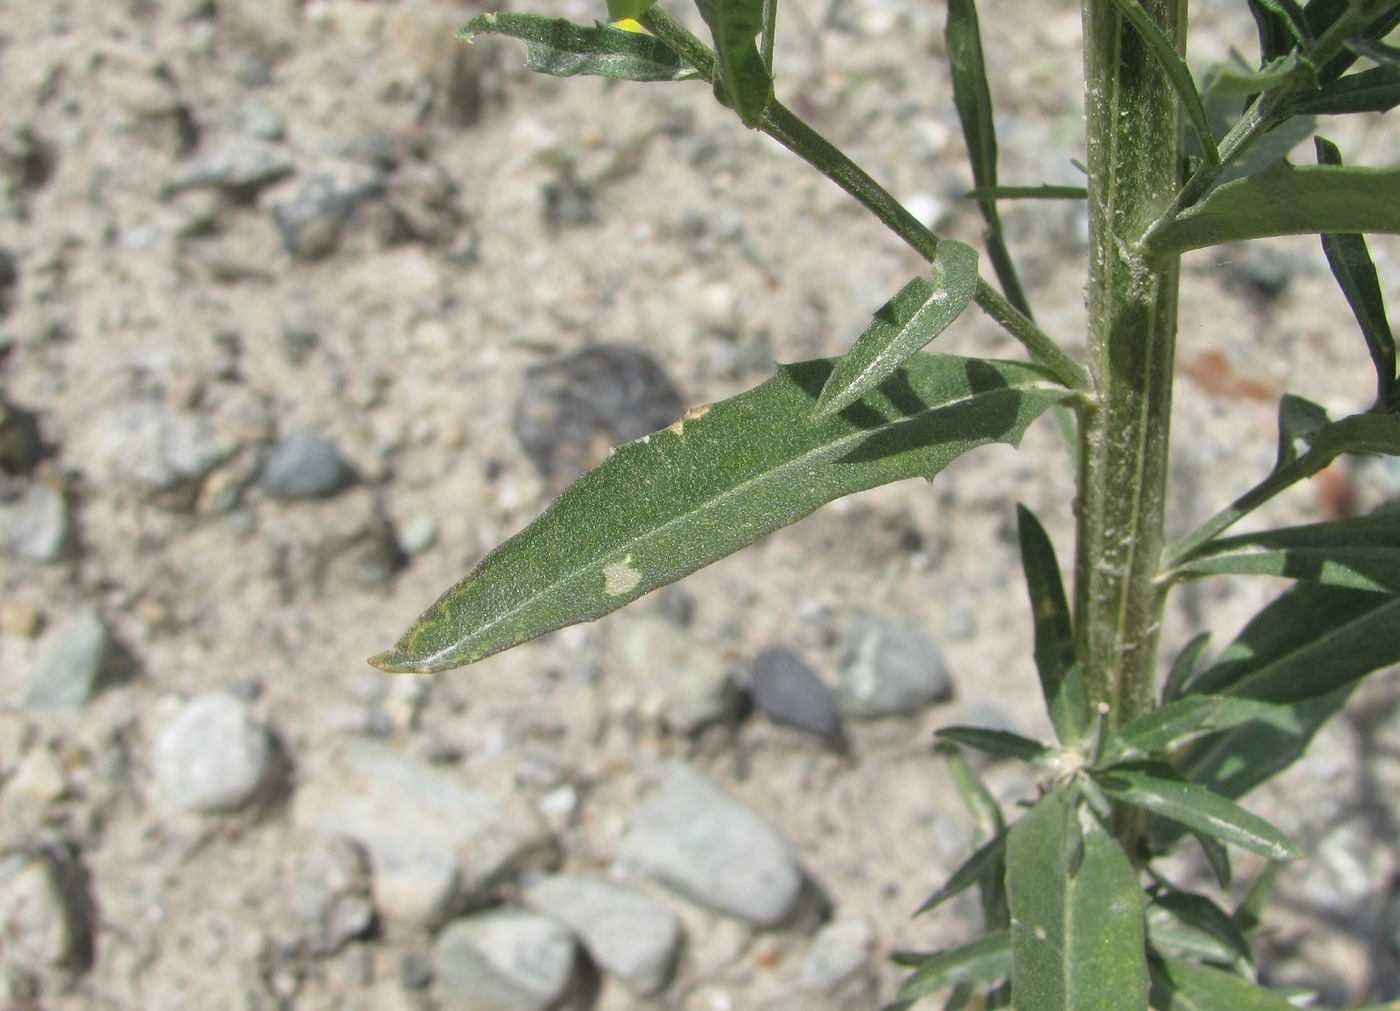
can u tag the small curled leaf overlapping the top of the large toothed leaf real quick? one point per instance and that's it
(908, 323)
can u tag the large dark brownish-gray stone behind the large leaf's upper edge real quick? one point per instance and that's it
(573, 410)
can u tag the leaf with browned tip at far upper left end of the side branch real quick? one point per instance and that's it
(563, 50)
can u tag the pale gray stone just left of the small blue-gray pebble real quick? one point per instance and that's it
(157, 447)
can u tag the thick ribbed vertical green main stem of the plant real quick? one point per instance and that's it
(1135, 130)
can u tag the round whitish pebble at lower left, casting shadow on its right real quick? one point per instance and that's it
(212, 755)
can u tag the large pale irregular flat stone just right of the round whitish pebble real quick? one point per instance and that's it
(433, 844)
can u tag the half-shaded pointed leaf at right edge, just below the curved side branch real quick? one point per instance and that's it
(1361, 554)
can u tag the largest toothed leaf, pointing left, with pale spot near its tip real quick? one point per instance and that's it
(677, 501)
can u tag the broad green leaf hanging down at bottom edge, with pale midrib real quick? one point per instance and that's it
(1077, 933)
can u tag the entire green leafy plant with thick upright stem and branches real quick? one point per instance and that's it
(1077, 916)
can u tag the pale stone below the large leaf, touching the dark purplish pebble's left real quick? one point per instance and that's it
(692, 678)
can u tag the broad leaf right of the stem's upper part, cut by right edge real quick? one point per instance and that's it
(1287, 201)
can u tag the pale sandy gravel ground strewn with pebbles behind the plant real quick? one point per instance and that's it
(274, 279)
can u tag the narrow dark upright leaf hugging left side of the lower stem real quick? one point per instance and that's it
(1062, 680)
